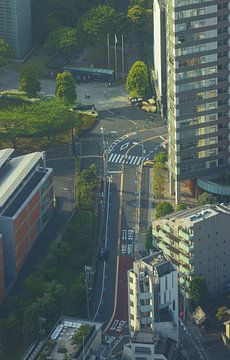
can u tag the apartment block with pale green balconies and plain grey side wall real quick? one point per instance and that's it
(197, 242)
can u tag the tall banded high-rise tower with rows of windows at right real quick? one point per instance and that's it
(197, 62)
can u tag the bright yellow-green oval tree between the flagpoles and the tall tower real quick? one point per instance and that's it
(138, 80)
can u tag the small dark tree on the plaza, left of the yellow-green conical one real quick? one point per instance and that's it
(29, 83)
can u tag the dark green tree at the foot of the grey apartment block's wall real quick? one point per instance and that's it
(198, 290)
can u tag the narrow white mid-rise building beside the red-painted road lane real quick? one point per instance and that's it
(153, 295)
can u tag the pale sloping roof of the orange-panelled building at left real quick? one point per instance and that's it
(13, 174)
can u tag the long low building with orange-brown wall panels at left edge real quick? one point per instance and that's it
(26, 205)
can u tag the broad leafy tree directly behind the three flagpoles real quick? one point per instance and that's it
(101, 20)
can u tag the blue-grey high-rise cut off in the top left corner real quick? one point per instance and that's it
(15, 25)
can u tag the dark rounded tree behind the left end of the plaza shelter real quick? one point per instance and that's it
(64, 41)
